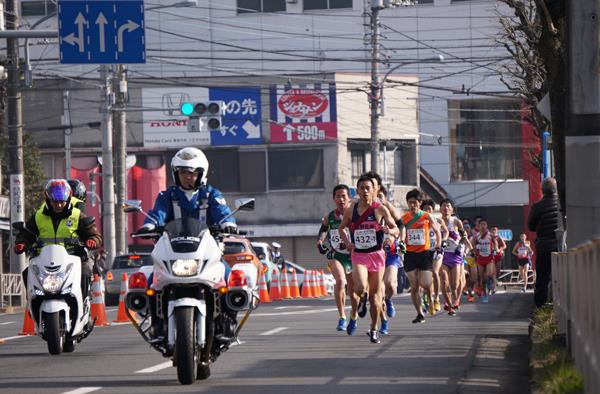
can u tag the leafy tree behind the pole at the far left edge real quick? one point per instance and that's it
(34, 176)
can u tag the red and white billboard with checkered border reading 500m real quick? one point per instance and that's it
(303, 113)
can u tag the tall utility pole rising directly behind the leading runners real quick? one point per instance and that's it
(375, 96)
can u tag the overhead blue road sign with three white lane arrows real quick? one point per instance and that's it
(101, 31)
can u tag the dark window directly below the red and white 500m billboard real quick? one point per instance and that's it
(296, 169)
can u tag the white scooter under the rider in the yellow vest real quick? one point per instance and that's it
(54, 298)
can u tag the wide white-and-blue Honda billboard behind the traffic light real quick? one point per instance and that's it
(165, 127)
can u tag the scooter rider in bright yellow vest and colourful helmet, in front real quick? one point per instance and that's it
(57, 220)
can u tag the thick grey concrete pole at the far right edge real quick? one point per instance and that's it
(582, 136)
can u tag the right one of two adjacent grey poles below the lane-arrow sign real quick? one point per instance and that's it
(120, 134)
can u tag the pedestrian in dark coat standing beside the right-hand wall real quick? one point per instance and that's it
(544, 219)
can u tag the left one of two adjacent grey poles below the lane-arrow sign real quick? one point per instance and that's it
(108, 187)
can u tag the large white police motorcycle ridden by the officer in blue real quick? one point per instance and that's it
(189, 313)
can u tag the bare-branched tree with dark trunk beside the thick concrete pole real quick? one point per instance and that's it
(535, 37)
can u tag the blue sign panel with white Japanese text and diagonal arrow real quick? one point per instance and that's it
(242, 118)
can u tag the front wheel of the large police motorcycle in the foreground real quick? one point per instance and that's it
(185, 344)
